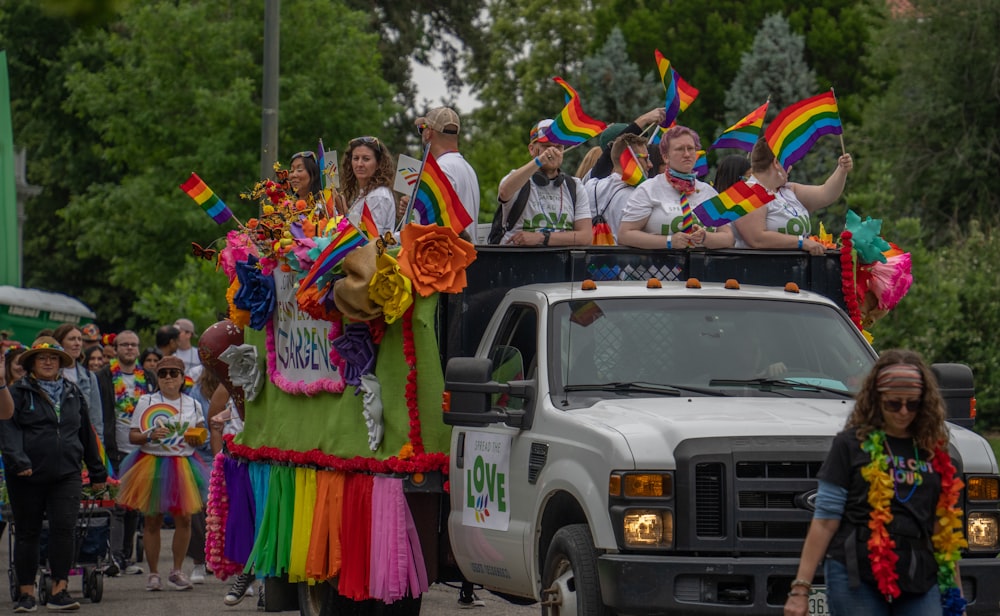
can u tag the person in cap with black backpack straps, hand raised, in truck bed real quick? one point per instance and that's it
(539, 205)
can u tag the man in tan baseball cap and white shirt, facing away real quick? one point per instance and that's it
(440, 128)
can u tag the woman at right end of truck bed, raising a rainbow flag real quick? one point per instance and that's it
(784, 223)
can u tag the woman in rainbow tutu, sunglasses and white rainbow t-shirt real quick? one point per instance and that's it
(163, 476)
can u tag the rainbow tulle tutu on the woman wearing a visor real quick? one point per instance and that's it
(163, 484)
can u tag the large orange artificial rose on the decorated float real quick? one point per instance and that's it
(435, 258)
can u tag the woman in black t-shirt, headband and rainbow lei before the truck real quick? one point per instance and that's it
(893, 452)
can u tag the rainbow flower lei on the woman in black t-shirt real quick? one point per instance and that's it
(948, 541)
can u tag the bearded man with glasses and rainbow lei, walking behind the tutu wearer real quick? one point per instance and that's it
(121, 383)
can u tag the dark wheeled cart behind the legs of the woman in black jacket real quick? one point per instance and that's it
(91, 549)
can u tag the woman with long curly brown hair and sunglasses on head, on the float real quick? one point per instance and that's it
(367, 172)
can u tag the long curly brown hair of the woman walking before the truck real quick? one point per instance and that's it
(928, 427)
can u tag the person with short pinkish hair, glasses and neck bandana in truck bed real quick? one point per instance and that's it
(654, 215)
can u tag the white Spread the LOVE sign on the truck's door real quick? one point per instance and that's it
(487, 492)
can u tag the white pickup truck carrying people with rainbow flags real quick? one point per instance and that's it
(634, 449)
